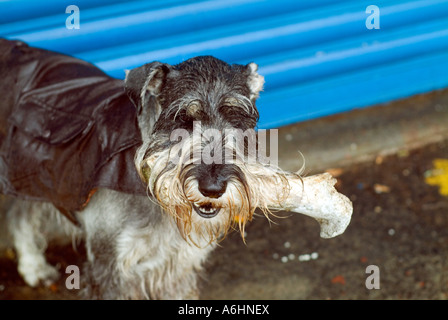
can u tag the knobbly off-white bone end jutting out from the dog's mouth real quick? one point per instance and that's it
(315, 196)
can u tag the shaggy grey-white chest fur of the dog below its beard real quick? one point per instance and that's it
(137, 252)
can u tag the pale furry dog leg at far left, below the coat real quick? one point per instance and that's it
(24, 220)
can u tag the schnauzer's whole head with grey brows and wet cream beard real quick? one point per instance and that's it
(197, 119)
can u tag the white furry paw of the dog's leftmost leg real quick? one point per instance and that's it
(36, 271)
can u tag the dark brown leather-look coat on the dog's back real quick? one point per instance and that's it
(66, 129)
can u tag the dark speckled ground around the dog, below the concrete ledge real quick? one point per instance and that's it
(399, 224)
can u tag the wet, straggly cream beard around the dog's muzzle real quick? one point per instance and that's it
(171, 182)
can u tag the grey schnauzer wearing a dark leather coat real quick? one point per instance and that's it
(190, 173)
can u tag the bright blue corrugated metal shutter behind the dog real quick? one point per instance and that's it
(318, 56)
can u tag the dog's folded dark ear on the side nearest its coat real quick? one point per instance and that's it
(144, 83)
